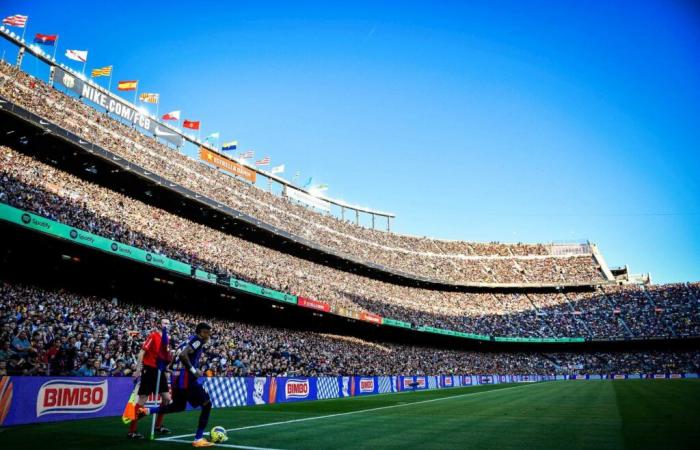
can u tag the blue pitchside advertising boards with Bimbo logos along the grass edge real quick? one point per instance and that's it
(50, 399)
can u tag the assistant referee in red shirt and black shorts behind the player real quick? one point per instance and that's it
(147, 369)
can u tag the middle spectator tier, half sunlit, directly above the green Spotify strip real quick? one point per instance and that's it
(639, 312)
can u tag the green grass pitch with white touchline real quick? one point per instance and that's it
(567, 414)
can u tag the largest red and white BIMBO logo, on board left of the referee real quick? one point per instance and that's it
(71, 397)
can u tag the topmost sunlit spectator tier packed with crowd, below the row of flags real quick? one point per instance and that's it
(454, 262)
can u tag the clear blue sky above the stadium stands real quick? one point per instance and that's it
(494, 121)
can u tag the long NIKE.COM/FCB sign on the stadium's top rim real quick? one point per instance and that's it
(115, 105)
